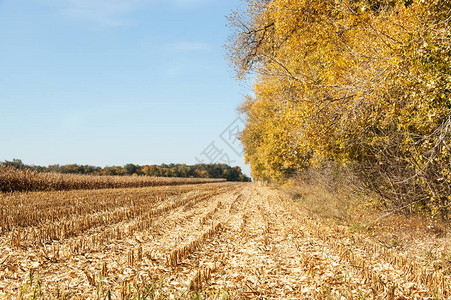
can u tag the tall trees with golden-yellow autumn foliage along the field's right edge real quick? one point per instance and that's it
(364, 83)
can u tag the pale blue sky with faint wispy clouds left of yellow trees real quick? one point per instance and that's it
(108, 82)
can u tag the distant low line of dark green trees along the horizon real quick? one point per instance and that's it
(163, 170)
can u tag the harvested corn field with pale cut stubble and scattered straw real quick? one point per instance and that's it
(213, 241)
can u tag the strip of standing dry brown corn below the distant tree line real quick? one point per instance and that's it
(13, 180)
